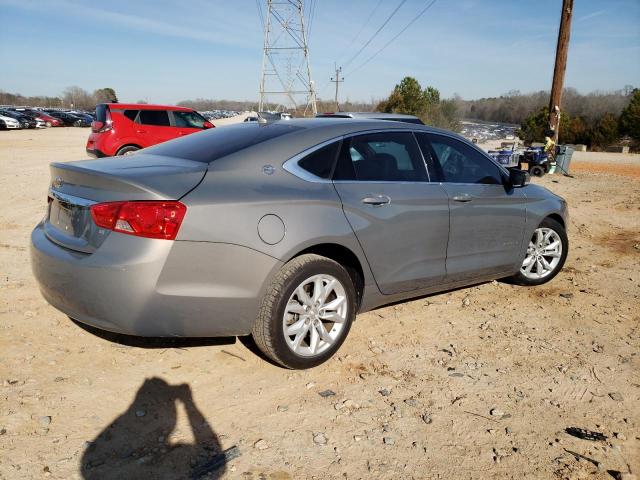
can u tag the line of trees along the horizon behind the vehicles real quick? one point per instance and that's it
(597, 119)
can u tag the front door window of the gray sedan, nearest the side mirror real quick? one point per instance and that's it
(461, 163)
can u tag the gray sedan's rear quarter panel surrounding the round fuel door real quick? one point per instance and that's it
(229, 204)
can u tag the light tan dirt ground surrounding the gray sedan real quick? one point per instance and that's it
(476, 383)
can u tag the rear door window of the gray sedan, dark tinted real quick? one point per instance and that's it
(388, 156)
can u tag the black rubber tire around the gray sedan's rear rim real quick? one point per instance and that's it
(268, 332)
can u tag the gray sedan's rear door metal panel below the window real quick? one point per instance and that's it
(415, 258)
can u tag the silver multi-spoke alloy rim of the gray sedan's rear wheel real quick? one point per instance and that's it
(315, 315)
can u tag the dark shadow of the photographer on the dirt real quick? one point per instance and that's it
(138, 443)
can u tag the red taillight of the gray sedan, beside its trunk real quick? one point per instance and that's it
(149, 219)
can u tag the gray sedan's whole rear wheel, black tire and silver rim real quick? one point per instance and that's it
(306, 313)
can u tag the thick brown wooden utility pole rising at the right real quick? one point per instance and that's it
(561, 65)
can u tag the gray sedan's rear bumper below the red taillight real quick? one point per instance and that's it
(154, 288)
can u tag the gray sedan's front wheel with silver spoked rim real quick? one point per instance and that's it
(546, 254)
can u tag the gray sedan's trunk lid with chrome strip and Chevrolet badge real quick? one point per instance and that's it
(75, 186)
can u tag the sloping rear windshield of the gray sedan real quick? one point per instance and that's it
(219, 142)
